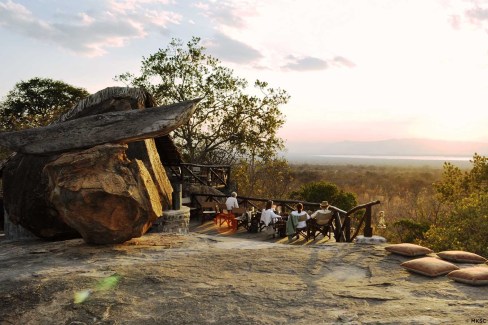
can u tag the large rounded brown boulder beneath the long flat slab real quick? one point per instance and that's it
(102, 194)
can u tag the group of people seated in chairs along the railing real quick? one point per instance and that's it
(269, 217)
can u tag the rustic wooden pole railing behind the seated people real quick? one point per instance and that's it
(342, 219)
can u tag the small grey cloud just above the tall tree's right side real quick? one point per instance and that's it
(231, 50)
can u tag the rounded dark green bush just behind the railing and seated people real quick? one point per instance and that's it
(325, 191)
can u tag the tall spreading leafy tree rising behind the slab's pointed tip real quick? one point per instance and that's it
(228, 123)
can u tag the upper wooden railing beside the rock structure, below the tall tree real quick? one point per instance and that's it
(217, 176)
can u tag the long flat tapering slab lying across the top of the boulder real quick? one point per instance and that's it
(89, 131)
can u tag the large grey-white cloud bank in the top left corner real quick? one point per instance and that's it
(111, 24)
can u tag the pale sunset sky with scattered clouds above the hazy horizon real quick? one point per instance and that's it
(356, 70)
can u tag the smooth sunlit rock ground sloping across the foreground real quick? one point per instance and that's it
(211, 276)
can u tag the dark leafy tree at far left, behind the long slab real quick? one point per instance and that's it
(37, 102)
